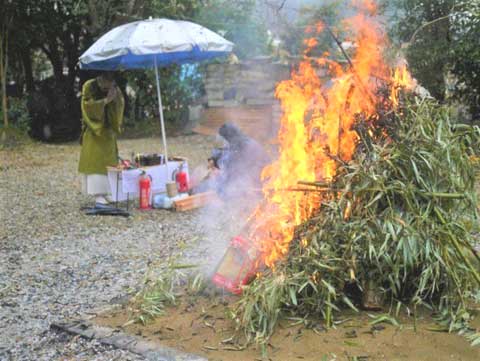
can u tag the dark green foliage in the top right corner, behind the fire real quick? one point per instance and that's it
(441, 36)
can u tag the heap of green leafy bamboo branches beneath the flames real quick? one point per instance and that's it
(399, 222)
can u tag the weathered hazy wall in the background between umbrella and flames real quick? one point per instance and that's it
(243, 93)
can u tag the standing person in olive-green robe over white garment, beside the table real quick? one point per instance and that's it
(102, 117)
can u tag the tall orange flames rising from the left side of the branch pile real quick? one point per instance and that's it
(316, 126)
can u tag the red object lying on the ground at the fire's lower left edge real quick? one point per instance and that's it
(238, 266)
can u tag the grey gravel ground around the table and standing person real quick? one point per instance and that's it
(57, 263)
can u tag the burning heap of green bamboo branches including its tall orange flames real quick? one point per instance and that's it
(371, 202)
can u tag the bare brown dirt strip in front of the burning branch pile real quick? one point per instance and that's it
(203, 327)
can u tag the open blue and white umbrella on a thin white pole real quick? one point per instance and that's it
(154, 43)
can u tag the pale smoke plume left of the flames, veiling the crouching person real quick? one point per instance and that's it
(238, 186)
